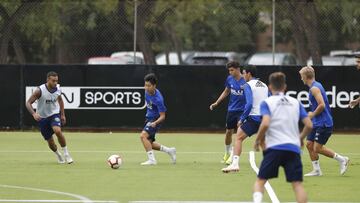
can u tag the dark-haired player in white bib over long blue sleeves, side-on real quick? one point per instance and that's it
(255, 92)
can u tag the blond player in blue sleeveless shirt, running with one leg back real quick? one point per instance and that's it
(323, 124)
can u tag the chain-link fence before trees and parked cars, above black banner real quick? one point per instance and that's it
(172, 31)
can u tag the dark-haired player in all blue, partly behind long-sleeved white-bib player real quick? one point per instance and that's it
(234, 86)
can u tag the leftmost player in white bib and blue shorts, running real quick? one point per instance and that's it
(50, 114)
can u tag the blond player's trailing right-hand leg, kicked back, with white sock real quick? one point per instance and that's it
(323, 136)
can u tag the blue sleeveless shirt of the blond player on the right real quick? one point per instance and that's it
(324, 119)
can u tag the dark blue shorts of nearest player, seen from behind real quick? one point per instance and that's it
(273, 159)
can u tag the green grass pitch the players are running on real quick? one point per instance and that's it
(26, 161)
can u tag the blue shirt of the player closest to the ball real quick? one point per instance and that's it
(155, 105)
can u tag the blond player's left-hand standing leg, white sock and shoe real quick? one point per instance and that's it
(313, 155)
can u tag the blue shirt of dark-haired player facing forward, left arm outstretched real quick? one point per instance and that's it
(237, 97)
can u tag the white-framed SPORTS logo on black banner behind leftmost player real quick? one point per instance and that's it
(99, 97)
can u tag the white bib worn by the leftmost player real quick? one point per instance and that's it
(47, 104)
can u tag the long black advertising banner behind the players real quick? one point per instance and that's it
(112, 96)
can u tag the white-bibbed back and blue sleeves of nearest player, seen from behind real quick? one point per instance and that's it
(285, 115)
